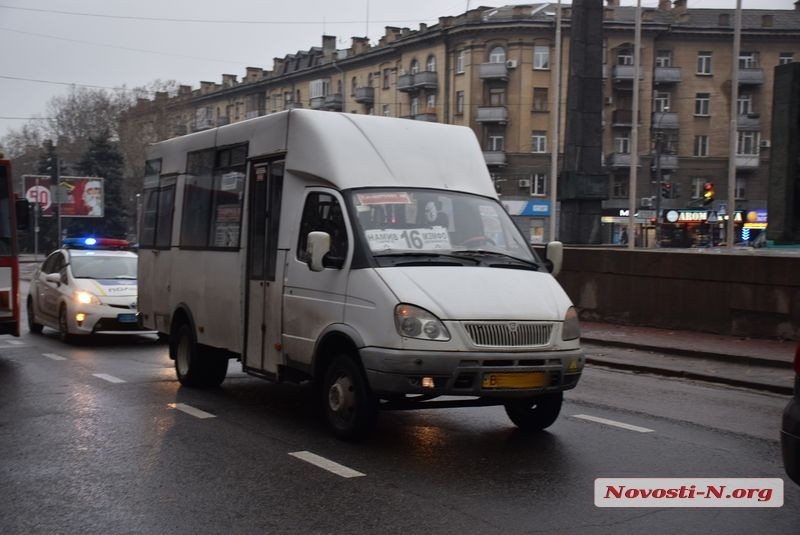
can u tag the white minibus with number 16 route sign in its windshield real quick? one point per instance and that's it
(367, 256)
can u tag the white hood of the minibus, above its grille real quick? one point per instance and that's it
(462, 293)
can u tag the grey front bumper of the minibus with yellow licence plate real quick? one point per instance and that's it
(483, 374)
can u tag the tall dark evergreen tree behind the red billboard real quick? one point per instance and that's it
(103, 159)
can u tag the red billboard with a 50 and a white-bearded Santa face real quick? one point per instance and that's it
(74, 196)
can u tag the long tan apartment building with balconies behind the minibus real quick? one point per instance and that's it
(492, 69)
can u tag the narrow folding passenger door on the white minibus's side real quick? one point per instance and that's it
(264, 268)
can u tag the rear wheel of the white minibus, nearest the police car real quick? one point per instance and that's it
(197, 367)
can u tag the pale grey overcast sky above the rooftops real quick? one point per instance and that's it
(47, 45)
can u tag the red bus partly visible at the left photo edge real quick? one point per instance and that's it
(9, 253)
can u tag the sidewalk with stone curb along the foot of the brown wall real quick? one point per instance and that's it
(745, 362)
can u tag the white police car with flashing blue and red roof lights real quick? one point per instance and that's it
(86, 287)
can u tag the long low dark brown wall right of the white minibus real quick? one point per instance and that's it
(749, 294)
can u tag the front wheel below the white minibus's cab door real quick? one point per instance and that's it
(348, 405)
